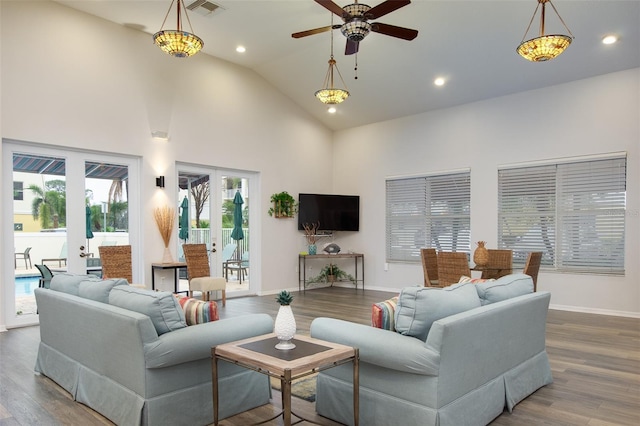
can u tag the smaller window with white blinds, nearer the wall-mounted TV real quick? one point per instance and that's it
(427, 211)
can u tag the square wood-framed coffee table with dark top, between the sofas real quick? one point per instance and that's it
(309, 356)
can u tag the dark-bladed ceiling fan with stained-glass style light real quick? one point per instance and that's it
(356, 24)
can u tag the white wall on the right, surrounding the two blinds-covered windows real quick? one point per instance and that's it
(593, 116)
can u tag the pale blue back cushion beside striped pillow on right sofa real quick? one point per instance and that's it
(419, 307)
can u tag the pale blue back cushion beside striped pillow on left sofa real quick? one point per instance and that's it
(163, 309)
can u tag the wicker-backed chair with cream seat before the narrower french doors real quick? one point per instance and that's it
(198, 269)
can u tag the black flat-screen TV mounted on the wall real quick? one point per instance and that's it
(333, 212)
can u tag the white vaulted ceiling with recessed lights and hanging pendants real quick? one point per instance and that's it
(471, 44)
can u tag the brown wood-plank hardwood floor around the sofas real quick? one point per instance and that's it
(595, 361)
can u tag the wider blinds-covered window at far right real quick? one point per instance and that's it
(574, 212)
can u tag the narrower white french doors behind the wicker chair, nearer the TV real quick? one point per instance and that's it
(209, 195)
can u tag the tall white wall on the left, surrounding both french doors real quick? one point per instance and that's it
(73, 80)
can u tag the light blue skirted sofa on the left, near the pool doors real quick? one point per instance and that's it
(126, 366)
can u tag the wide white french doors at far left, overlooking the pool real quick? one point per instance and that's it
(64, 204)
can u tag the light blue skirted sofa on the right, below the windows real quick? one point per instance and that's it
(471, 365)
